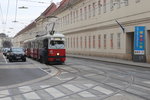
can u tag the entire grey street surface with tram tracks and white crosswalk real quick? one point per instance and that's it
(77, 79)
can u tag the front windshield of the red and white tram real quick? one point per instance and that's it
(56, 44)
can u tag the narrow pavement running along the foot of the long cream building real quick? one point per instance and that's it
(112, 60)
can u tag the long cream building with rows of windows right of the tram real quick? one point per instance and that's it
(91, 29)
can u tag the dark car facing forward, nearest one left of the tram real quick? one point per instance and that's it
(16, 54)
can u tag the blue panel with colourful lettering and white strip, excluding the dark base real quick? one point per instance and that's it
(139, 40)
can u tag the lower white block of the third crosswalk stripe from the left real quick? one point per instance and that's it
(54, 92)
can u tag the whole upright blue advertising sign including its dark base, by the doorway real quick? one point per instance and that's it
(139, 44)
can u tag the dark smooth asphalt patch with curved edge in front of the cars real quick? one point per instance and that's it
(18, 72)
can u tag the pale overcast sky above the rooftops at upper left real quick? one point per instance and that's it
(8, 14)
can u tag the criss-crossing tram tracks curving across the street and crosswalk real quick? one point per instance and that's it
(77, 74)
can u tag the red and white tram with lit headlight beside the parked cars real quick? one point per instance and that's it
(47, 48)
